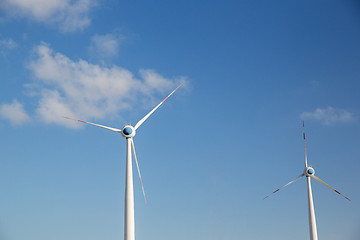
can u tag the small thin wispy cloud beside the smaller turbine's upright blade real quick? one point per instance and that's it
(329, 115)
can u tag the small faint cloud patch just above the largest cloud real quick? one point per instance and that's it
(105, 46)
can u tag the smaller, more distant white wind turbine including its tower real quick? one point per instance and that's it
(309, 172)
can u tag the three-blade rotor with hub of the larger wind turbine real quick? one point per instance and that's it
(129, 132)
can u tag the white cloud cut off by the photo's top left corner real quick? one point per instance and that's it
(70, 15)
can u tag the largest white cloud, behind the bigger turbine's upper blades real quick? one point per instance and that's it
(88, 91)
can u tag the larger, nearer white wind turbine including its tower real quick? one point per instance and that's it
(129, 132)
